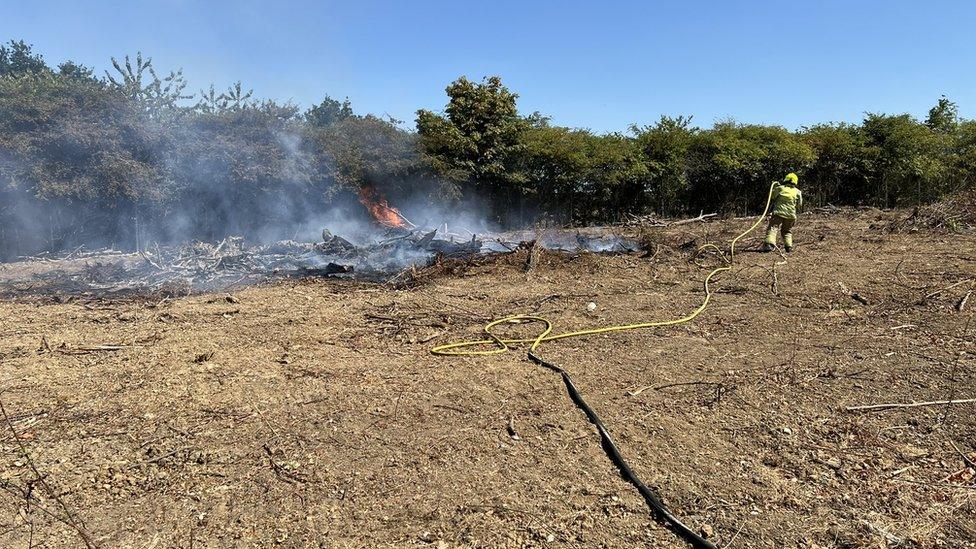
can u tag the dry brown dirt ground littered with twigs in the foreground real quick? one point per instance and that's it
(312, 413)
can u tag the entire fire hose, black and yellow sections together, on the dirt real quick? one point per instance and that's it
(503, 345)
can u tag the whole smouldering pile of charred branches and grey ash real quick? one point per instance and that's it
(232, 263)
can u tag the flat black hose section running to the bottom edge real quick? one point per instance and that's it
(661, 512)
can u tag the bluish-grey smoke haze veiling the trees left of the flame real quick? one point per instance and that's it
(123, 179)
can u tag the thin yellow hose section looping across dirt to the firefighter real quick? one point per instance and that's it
(501, 345)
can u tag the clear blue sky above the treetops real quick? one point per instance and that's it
(601, 65)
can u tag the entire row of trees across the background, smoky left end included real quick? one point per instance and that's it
(131, 156)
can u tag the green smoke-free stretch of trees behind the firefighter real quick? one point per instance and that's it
(672, 167)
